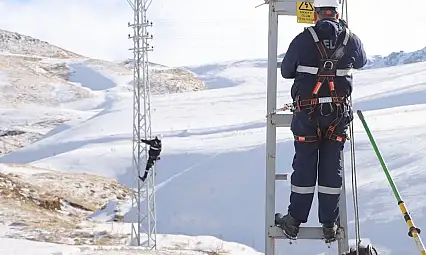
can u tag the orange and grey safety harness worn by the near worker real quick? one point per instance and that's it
(326, 71)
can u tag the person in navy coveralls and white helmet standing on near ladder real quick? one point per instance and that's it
(320, 60)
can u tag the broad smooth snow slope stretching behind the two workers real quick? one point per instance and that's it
(210, 179)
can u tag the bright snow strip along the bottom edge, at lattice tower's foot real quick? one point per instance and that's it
(167, 245)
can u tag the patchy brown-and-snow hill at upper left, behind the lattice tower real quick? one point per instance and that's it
(36, 74)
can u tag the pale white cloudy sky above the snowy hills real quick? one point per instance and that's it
(190, 32)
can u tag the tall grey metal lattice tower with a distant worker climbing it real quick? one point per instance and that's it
(145, 225)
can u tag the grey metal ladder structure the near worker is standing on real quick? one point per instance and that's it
(288, 8)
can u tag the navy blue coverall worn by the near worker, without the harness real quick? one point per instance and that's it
(323, 155)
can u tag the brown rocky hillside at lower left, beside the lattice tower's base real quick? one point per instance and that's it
(39, 204)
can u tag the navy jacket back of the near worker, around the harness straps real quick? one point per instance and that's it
(304, 51)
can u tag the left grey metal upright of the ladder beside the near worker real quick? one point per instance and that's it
(270, 128)
